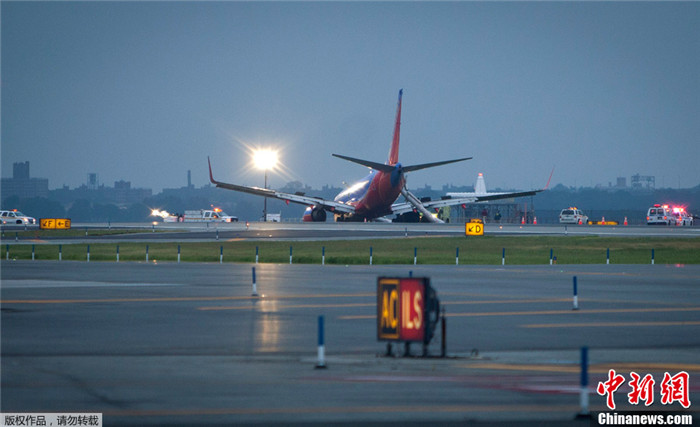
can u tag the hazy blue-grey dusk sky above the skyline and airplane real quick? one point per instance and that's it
(144, 91)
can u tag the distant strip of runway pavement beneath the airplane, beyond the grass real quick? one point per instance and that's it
(163, 232)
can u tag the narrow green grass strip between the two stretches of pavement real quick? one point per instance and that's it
(485, 250)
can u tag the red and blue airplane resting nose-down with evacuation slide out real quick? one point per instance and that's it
(373, 197)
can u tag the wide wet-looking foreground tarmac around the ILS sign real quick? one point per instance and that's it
(186, 343)
